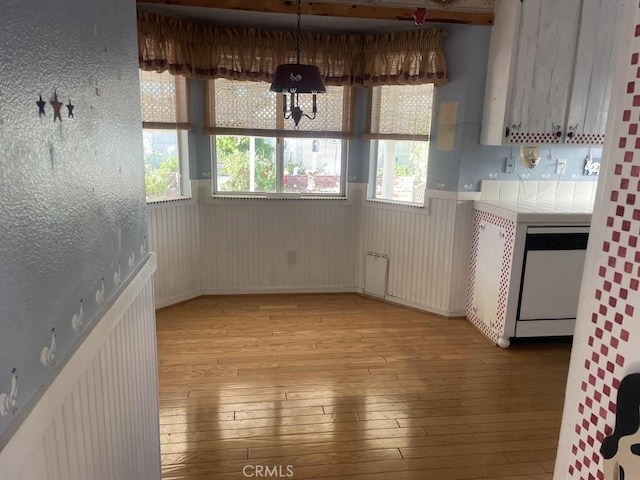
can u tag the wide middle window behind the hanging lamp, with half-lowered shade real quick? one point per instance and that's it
(257, 151)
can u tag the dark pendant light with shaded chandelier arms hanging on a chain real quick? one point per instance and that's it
(295, 78)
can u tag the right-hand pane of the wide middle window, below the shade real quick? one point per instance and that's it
(312, 165)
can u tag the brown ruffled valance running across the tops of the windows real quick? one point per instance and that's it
(194, 49)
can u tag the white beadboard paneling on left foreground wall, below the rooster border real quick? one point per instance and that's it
(99, 418)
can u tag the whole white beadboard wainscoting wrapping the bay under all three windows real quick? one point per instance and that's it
(294, 246)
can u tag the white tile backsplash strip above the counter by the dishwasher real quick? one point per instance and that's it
(545, 191)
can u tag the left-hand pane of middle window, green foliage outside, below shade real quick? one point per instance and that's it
(245, 164)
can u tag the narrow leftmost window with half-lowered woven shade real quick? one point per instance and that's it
(165, 119)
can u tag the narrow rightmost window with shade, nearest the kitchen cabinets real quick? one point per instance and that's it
(400, 125)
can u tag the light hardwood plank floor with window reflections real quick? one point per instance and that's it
(345, 387)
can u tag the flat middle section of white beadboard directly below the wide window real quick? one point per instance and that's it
(246, 245)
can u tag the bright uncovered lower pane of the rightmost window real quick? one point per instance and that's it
(401, 171)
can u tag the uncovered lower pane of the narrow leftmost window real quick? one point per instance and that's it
(161, 164)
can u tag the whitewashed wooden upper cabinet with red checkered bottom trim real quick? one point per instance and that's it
(549, 73)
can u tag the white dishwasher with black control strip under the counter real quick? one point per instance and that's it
(551, 279)
